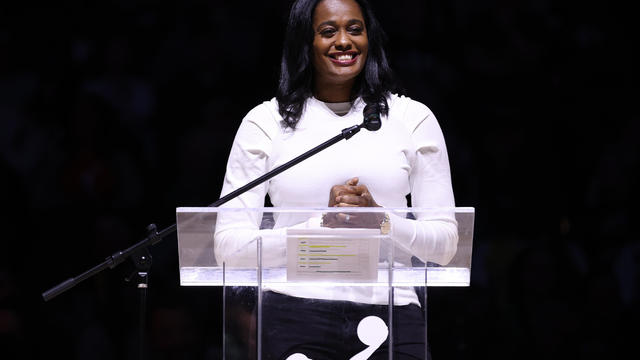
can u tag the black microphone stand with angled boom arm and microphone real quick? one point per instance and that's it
(139, 252)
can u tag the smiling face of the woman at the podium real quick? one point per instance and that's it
(340, 42)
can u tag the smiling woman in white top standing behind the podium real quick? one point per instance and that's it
(333, 64)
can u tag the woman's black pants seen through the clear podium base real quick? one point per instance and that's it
(327, 329)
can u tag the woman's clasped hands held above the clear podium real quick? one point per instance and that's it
(351, 194)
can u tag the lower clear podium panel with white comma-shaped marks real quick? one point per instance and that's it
(265, 324)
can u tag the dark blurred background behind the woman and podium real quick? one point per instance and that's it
(114, 113)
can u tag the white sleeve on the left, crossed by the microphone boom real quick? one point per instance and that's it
(236, 232)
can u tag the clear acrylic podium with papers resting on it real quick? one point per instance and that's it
(324, 283)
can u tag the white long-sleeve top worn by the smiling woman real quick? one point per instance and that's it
(407, 155)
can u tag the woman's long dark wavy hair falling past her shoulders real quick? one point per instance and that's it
(373, 84)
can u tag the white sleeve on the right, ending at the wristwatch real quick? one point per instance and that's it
(433, 236)
